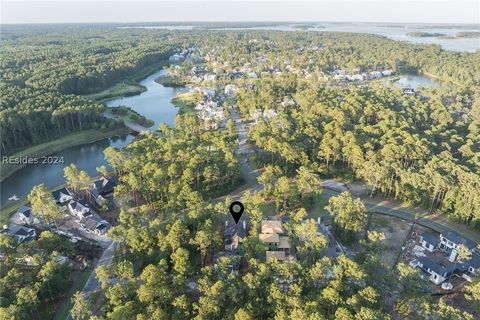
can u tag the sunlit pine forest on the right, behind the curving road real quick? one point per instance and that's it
(410, 148)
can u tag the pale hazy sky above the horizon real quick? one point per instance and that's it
(427, 11)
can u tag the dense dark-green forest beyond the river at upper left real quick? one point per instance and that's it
(44, 72)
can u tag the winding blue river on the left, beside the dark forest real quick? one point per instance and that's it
(154, 104)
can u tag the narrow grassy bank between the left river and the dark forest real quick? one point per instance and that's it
(50, 147)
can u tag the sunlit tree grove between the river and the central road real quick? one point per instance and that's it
(181, 169)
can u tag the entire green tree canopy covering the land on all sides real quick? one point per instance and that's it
(420, 148)
